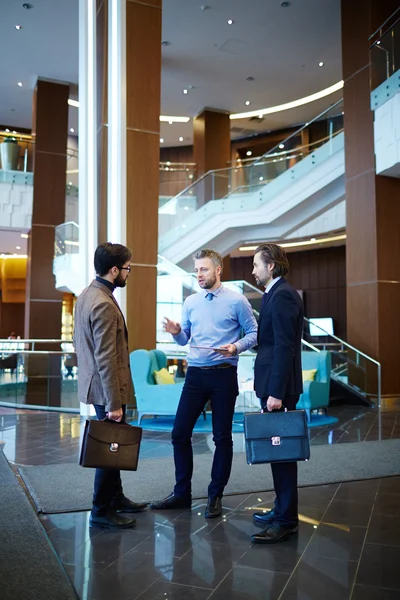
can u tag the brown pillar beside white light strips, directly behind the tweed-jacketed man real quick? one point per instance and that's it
(143, 65)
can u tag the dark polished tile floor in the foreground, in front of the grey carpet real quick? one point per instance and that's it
(348, 547)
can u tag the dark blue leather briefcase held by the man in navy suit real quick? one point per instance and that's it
(276, 437)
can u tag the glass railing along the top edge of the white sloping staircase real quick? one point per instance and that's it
(238, 183)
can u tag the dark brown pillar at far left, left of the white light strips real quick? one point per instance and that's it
(43, 301)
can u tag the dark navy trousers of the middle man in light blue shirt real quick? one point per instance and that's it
(201, 385)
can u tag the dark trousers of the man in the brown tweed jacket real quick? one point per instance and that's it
(107, 482)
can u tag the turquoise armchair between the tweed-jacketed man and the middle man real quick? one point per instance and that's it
(152, 399)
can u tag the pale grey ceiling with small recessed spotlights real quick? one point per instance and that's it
(279, 47)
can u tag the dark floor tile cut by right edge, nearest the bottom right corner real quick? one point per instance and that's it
(379, 566)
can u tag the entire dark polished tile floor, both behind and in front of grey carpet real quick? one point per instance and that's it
(348, 545)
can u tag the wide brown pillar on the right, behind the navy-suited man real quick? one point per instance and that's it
(373, 210)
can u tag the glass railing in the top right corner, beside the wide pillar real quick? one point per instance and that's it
(385, 51)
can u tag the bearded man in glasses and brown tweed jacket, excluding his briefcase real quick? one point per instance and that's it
(101, 346)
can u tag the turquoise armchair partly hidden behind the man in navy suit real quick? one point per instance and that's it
(315, 393)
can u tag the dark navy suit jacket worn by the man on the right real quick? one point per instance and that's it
(277, 370)
